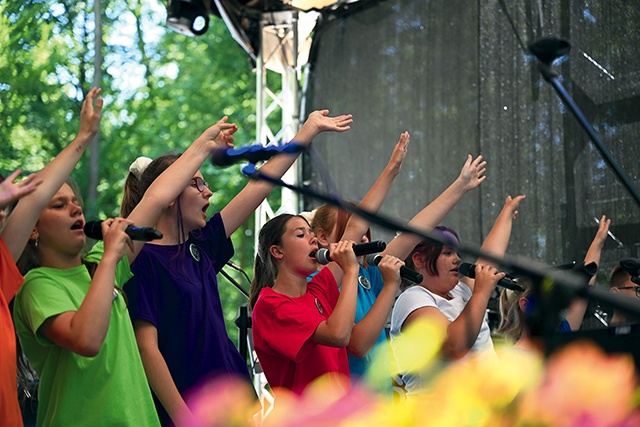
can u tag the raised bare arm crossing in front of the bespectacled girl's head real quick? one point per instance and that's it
(168, 186)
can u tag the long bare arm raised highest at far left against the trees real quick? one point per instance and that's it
(20, 224)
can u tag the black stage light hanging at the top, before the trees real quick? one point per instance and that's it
(188, 17)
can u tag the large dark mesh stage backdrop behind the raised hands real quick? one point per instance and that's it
(458, 76)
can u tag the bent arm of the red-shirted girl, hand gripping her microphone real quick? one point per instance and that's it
(336, 330)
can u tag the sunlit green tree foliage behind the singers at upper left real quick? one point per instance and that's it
(161, 90)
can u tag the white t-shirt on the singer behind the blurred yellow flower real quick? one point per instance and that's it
(417, 297)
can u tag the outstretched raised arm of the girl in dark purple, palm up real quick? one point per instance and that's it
(247, 201)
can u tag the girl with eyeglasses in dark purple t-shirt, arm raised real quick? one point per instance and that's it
(173, 297)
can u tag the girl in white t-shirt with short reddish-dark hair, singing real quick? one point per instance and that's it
(457, 303)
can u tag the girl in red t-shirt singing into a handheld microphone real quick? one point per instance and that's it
(301, 330)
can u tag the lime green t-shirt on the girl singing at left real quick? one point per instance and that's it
(109, 389)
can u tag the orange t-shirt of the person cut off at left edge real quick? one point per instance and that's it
(10, 281)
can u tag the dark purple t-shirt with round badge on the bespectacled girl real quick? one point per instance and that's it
(178, 293)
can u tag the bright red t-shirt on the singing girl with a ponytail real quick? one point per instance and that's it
(282, 330)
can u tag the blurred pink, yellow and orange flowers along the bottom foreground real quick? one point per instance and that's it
(579, 385)
